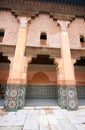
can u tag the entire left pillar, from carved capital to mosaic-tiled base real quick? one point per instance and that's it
(15, 93)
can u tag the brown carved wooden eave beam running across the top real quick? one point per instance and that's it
(23, 7)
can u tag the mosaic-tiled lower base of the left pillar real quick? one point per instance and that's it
(14, 97)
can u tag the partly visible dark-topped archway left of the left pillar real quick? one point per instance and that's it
(4, 73)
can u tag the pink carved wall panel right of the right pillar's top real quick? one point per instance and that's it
(76, 28)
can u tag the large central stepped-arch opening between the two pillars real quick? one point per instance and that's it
(42, 81)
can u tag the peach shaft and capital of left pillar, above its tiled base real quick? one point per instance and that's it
(15, 75)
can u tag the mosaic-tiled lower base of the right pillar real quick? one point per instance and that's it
(67, 98)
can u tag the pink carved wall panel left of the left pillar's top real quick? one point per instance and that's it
(9, 23)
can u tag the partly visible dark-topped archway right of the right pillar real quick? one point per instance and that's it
(80, 79)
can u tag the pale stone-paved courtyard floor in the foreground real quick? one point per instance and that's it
(43, 118)
